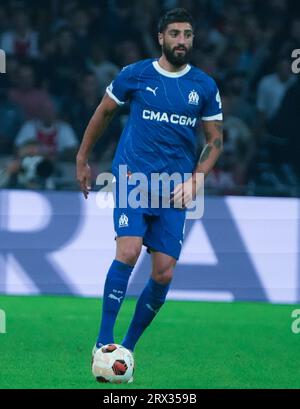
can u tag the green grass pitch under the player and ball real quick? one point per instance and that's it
(48, 344)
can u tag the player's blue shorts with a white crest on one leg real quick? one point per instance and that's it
(162, 229)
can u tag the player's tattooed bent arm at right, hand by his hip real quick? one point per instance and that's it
(213, 130)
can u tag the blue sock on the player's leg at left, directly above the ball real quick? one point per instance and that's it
(114, 293)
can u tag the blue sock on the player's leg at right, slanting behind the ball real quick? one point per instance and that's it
(148, 305)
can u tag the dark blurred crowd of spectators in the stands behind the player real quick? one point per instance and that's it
(61, 55)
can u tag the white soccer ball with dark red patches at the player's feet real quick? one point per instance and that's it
(113, 363)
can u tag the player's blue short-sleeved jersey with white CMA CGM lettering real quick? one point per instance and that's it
(165, 110)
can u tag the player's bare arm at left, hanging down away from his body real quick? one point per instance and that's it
(97, 125)
